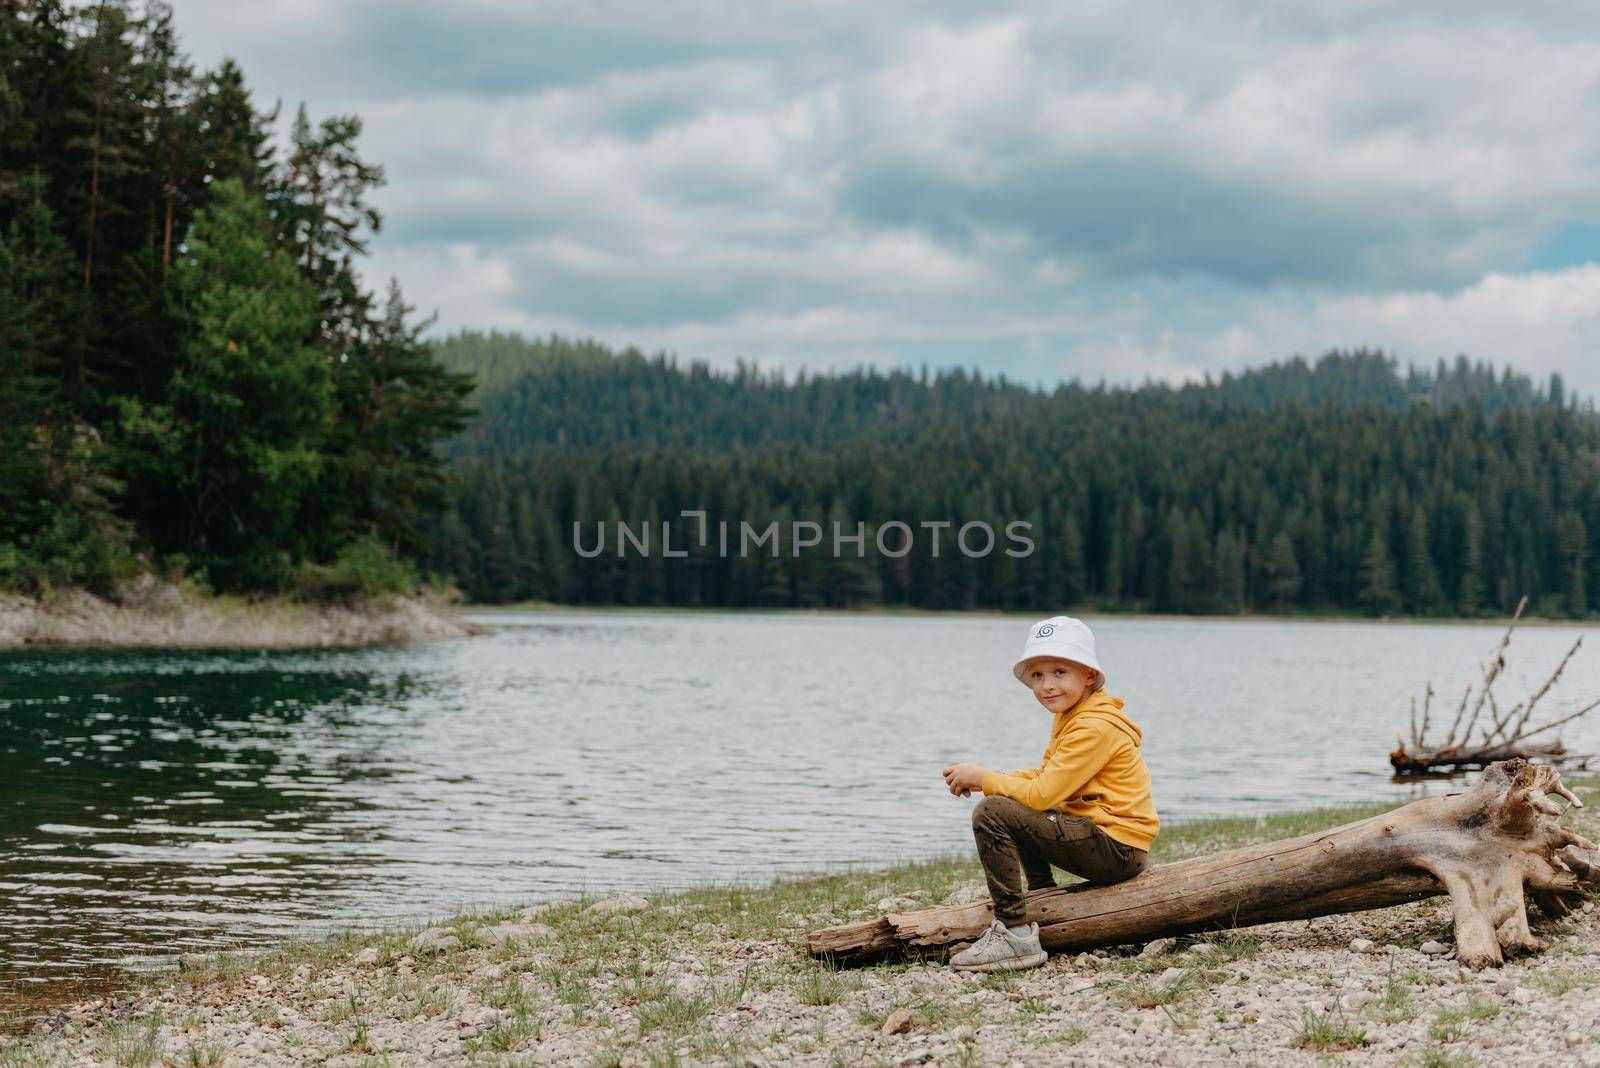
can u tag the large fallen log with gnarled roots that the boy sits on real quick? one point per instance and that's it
(1490, 848)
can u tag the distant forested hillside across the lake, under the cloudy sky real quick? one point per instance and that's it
(1338, 485)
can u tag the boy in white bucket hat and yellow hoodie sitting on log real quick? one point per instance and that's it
(1087, 808)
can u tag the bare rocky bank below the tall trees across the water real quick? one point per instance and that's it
(169, 618)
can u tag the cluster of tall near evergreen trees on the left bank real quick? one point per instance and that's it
(191, 373)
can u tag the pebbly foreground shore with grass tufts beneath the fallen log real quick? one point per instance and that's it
(721, 978)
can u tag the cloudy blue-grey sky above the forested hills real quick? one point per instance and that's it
(1052, 191)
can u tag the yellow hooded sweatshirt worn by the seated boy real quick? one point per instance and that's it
(1092, 770)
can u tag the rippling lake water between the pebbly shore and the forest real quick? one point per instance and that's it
(156, 803)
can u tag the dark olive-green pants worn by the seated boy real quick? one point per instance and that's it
(1017, 842)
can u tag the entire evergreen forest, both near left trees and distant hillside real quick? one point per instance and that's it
(194, 380)
